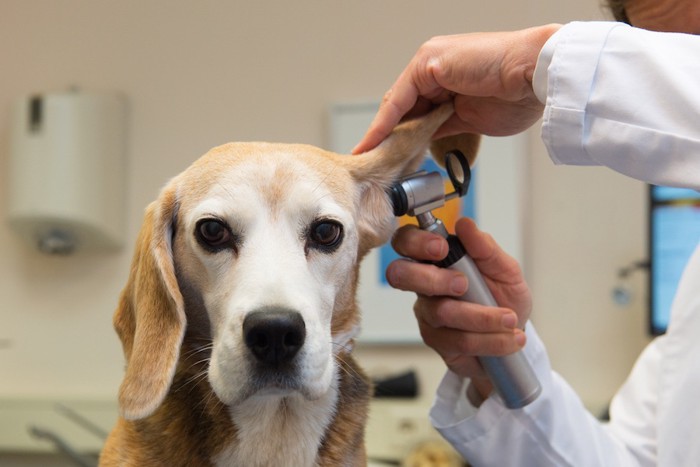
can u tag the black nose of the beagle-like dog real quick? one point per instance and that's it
(274, 335)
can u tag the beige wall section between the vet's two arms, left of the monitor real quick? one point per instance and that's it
(586, 224)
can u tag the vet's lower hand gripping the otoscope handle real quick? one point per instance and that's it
(457, 330)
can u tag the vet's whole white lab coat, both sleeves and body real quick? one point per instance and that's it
(627, 99)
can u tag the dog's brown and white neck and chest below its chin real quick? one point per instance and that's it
(193, 427)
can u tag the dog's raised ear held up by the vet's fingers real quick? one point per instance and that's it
(399, 155)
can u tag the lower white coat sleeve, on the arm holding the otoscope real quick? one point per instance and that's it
(555, 430)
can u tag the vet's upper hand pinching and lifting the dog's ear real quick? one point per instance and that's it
(489, 76)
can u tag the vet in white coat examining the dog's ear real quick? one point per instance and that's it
(610, 95)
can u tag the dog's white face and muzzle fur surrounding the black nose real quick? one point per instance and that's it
(272, 236)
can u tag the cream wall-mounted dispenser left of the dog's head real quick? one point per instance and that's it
(67, 168)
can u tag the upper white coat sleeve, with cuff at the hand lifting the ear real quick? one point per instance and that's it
(625, 98)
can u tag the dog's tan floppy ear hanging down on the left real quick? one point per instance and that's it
(150, 318)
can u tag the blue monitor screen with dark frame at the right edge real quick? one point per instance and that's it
(674, 232)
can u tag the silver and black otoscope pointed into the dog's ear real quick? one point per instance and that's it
(417, 195)
